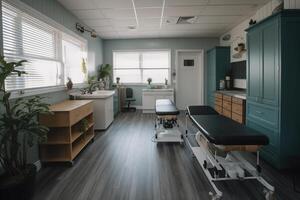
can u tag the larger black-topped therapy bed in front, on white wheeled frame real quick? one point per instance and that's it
(220, 141)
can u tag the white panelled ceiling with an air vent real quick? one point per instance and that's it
(157, 18)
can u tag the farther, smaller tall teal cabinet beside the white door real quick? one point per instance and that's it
(218, 63)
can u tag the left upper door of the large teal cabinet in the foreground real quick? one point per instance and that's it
(254, 65)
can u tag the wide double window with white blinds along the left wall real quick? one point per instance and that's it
(26, 37)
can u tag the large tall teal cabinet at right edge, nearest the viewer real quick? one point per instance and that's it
(273, 75)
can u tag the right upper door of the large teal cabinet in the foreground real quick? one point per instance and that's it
(270, 63)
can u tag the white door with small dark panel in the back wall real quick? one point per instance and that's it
(189, 79)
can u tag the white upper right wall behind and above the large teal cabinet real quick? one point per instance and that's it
(238, 33)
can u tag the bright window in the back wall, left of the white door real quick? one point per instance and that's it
(138, 66)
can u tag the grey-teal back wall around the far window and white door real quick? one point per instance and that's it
(164, 43)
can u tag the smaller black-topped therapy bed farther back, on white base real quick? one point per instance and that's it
(166, 126)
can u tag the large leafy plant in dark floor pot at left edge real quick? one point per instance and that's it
(19, 130)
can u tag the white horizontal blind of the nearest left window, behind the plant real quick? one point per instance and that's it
(25, 37)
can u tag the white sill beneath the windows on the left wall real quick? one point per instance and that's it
(39, 91)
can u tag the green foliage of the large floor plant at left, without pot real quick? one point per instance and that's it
(19, 126)
